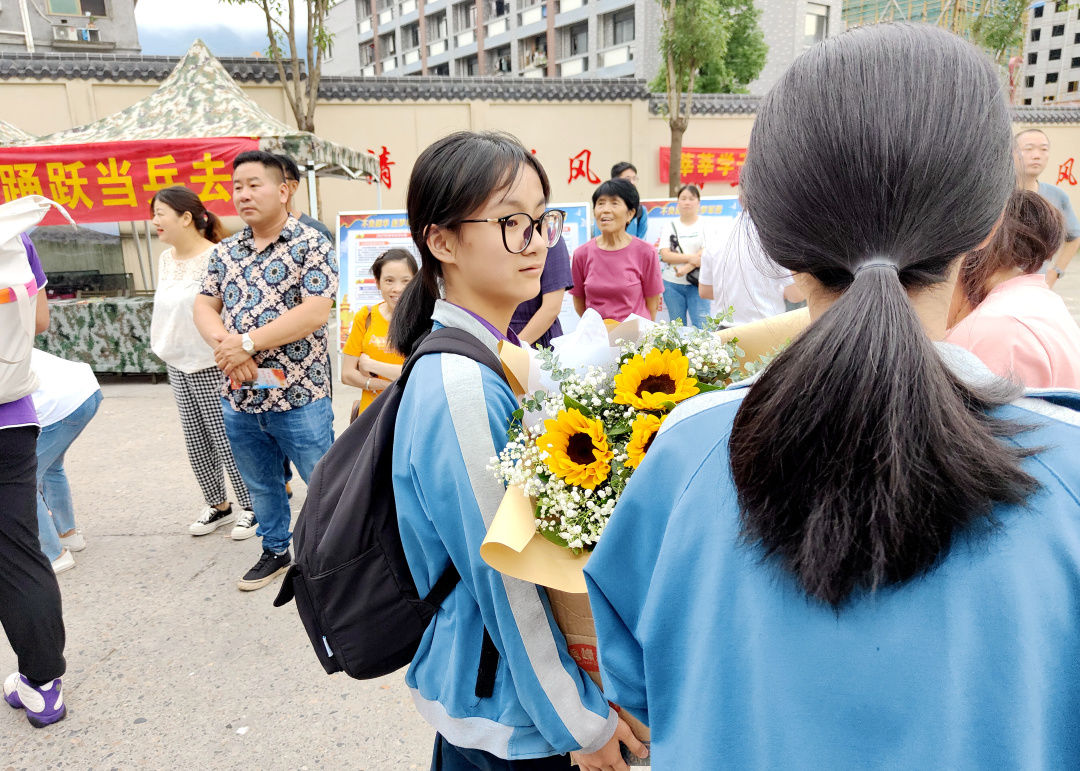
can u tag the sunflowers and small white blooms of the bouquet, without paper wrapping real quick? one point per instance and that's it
(573, 448)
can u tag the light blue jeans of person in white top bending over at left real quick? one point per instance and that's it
(56, 510)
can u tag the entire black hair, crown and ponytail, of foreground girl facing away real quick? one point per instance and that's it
(859, 455)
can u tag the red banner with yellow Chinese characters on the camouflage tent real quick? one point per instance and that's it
(114, 182)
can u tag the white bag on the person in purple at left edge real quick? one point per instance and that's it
(19, 295)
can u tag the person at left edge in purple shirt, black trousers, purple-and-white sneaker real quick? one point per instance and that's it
(30, 597)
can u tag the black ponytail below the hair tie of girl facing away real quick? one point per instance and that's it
(858, 455)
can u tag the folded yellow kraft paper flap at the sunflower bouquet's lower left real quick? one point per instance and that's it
(515, 548)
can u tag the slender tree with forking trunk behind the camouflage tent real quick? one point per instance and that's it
(282, 30)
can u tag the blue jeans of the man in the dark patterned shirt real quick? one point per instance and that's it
(261, 442)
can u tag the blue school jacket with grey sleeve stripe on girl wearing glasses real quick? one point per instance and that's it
(452, 423)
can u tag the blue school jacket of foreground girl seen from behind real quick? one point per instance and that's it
(974, 666)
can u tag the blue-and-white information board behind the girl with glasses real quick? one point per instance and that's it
(364, 236)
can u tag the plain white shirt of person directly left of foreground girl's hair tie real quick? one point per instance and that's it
(737, 273)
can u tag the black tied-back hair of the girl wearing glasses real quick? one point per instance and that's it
(452, 180)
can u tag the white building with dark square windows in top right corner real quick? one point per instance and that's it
(1050, 71)
